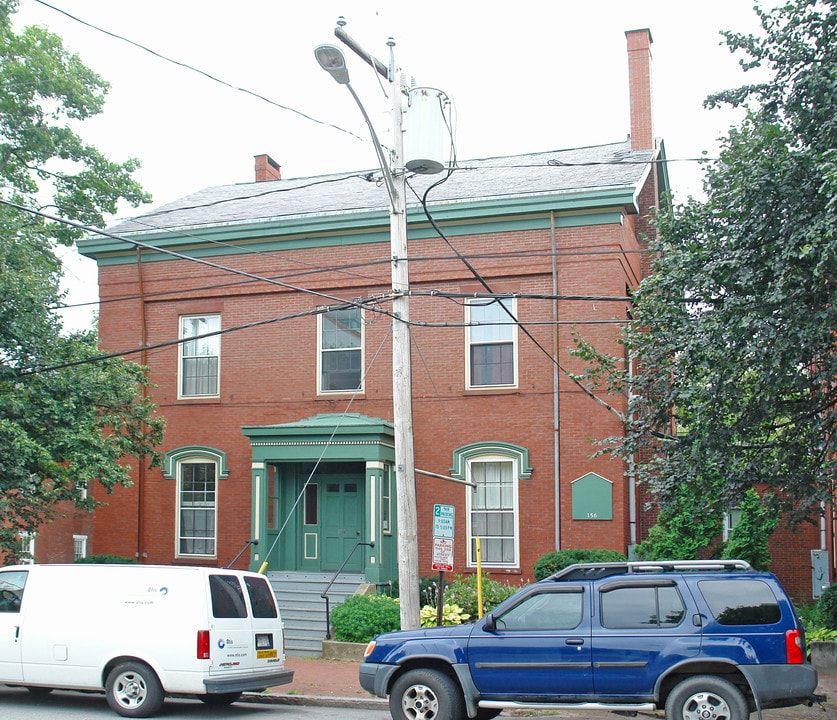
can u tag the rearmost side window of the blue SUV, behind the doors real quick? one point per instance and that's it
(741, 602)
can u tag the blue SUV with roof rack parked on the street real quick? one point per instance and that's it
(705, 640)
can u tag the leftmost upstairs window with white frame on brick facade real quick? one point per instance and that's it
(200, 353)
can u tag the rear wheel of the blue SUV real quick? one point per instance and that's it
(706, 697)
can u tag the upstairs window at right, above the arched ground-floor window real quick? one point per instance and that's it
(492, 343)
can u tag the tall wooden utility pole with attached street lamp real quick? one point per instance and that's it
(331, 59)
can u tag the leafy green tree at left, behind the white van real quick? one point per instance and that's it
(68, 415)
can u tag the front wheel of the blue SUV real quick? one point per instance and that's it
(426, 695)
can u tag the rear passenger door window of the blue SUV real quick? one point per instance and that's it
(641, 606)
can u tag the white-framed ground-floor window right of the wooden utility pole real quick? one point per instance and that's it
(492, 512)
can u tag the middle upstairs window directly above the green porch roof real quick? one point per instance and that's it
(341, 350)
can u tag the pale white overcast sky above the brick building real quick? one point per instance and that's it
(530, 76)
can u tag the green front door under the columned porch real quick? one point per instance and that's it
(341, 513)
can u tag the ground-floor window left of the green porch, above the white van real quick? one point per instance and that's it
(197, 509)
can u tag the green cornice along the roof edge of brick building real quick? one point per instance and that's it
(367, 226)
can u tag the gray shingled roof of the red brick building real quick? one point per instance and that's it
(555, 172)
